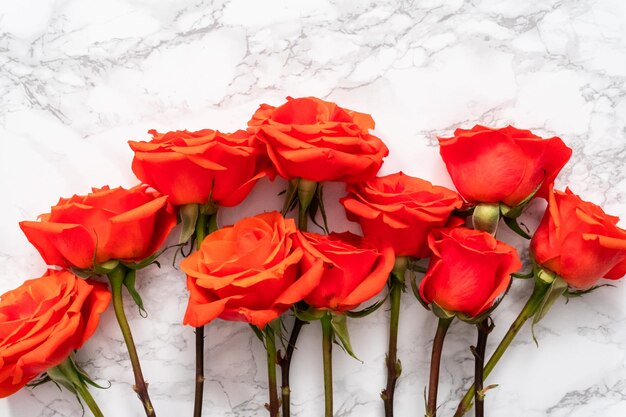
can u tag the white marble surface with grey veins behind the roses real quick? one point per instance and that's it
(78, 79)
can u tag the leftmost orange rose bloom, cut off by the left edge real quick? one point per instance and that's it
(43, 321)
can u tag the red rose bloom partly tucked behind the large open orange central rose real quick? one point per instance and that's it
(355, 269)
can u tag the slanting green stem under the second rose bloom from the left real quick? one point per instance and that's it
(116, 277)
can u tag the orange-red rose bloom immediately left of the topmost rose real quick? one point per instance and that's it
(195, 167)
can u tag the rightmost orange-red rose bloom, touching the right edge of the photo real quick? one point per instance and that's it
(579, 242)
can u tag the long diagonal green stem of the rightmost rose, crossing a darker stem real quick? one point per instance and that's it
(529, 310)
